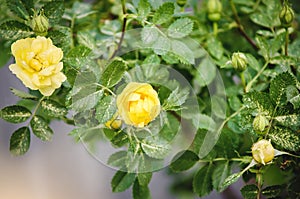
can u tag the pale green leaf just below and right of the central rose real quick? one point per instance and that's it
(155, 148)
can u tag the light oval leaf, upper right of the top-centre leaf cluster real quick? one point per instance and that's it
(180, 28)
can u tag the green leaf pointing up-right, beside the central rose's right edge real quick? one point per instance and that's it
(176, 99)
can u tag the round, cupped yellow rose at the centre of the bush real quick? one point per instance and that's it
(138, 104)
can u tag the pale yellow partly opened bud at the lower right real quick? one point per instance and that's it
(263, 151)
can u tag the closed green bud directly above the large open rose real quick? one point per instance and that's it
(40, 23)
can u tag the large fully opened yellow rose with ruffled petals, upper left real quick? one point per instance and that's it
(38, 64)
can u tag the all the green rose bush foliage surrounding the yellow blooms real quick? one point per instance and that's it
(207, 107)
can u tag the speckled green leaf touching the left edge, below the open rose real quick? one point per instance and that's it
(15, 114)
